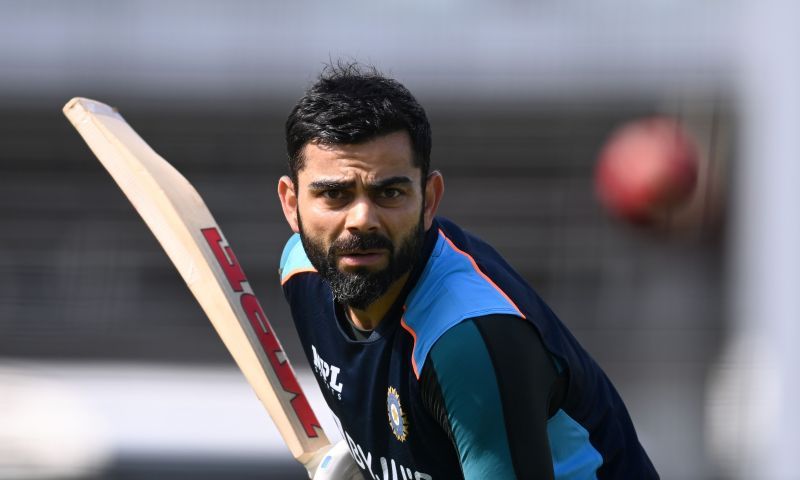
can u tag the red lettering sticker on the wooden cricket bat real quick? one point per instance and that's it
(267, 339)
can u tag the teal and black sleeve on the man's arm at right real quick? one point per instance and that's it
(492, 385)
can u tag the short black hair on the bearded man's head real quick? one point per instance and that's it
(350, 104)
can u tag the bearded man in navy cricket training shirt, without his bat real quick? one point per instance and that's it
(436, 358)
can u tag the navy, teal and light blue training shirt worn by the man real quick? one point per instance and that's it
(469, 375)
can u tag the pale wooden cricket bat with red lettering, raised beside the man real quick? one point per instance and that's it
(183, 225)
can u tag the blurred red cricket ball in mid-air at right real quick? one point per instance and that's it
(646, 167)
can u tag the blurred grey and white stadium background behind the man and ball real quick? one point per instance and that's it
(108, 368)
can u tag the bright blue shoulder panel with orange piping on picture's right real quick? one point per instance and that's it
(451, 289)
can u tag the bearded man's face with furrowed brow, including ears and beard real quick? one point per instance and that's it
(361, 214)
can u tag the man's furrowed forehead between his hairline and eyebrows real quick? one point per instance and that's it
(382, 156)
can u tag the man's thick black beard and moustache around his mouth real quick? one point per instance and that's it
(360, 287)
